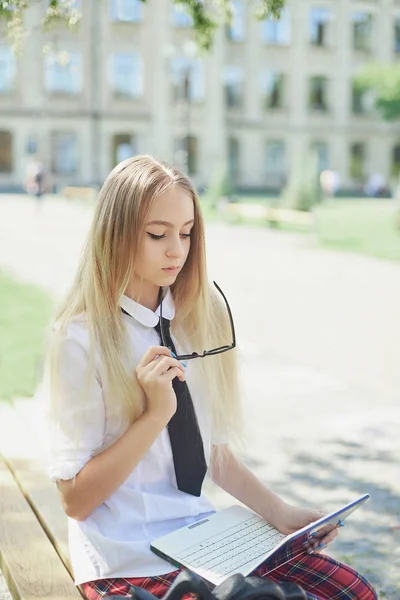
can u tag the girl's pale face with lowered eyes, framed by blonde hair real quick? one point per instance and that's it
(165, 242)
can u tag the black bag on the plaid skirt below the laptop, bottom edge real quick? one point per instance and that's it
(235, 587)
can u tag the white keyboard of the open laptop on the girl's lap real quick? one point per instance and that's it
(231, 549)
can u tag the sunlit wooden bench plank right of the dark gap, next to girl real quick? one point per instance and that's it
(22, 447)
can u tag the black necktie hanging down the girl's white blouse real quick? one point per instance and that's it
(186, 443)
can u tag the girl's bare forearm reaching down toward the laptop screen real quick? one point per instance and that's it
(234, 477)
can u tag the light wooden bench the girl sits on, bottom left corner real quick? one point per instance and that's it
(33, 527)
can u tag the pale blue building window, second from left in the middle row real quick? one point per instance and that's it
(63, 73)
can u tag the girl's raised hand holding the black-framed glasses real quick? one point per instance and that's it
(155, 373)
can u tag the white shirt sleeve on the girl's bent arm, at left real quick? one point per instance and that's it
(76, 412)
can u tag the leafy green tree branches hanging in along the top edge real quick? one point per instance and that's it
(205, 20)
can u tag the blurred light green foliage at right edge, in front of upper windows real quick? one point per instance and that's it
(384, 81)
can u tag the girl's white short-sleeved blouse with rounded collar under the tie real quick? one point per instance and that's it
(115, 540)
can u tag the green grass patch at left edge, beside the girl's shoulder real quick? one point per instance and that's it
(25, 312)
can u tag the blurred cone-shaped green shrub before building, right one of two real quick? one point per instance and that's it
(303, 190)
